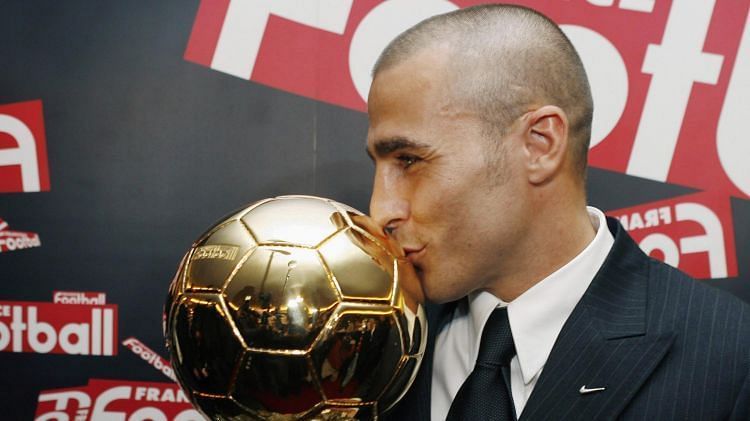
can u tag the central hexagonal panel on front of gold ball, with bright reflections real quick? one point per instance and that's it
(281, 298)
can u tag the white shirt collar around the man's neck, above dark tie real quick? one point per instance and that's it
(537, 316)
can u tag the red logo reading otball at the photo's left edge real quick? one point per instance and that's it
(76, 323)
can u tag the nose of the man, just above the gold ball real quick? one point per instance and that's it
(389, 206)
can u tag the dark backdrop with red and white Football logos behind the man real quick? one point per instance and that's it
(127, 128)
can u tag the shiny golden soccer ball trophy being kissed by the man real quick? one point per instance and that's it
(295, 307)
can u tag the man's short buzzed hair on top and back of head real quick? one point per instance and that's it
(505, 59)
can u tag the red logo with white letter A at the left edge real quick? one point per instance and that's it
(23, 148)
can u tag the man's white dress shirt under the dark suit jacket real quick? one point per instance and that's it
(536, 318)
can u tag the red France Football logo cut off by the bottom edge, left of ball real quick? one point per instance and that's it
(116, 400)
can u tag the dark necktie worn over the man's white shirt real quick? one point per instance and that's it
(485, 395)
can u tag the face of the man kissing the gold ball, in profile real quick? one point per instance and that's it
(453, 201)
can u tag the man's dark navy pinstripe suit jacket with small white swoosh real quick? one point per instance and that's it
(664, 346)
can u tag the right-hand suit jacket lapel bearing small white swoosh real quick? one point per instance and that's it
(603, 344)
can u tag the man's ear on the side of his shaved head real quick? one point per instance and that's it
(545, 140)
